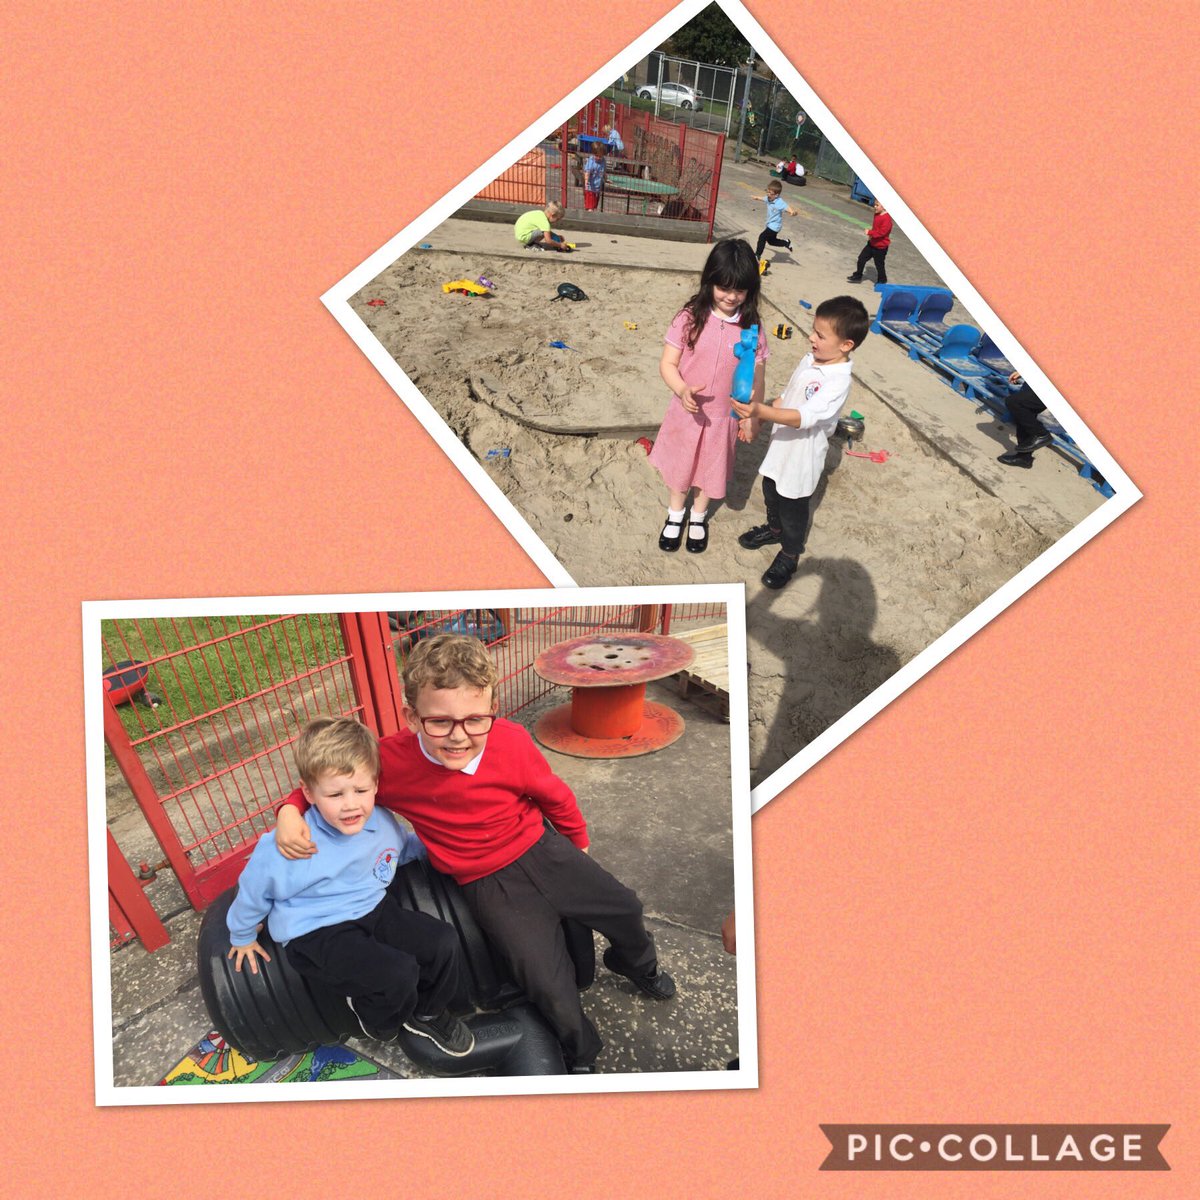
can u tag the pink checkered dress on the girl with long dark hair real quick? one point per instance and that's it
(697, 449)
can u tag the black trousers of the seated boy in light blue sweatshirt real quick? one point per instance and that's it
(392, 963)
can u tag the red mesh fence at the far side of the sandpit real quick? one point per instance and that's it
(667, 171)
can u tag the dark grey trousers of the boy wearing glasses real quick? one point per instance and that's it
(520, 908)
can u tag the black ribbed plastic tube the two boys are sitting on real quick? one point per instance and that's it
(279, 1012)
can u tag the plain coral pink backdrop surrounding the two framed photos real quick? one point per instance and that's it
(981, 908)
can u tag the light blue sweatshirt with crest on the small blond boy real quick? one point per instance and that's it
(345, 880)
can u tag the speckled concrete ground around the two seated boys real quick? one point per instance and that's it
(662, 824)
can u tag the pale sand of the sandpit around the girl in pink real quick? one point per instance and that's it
(898, 551)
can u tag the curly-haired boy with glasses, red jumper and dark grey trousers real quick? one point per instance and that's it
(478, 793)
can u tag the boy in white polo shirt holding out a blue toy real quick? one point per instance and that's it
(803, 419)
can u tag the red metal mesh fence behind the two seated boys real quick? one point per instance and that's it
(201, 713)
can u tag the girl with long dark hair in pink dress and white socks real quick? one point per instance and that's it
(694, 451)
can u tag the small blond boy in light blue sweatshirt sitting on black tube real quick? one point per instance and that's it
(334, 915)
